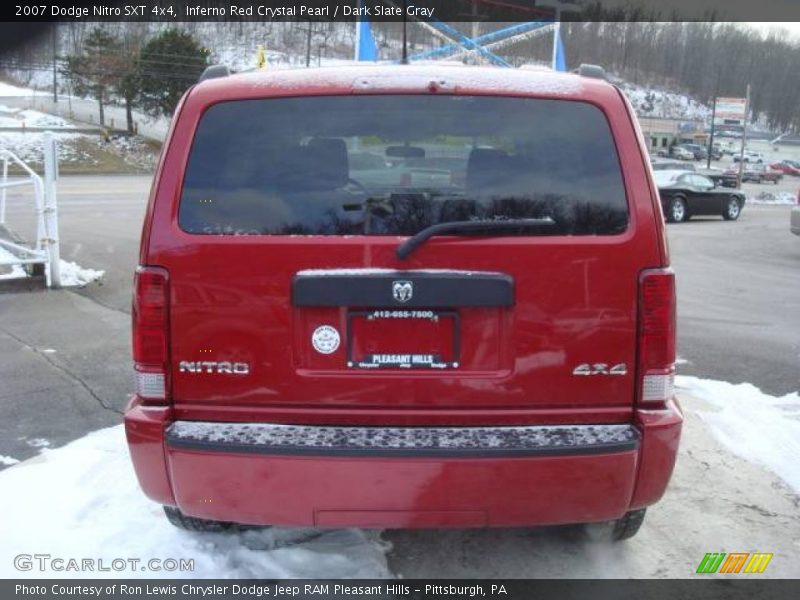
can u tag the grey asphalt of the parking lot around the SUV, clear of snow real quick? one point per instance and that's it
(64, 367)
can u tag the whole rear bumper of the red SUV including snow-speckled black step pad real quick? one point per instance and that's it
(402, 477)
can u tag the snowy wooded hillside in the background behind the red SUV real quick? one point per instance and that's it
(146, 66)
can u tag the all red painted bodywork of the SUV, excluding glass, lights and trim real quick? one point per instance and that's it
(575, 302)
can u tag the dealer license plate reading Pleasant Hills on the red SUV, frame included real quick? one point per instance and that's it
(403, 339)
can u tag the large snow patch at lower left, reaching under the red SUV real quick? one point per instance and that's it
(101, 513)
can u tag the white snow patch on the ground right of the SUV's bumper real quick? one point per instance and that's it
(760, 428)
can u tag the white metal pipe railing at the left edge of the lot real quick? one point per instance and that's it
(46, 248)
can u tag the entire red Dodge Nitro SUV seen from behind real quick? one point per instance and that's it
(489, 342)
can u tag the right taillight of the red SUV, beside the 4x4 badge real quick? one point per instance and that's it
(657, 327)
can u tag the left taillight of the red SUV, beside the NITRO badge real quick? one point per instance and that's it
(151, 333)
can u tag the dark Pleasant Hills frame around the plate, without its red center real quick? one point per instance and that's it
(414, 362)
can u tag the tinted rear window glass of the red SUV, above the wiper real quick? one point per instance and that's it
(394, 165)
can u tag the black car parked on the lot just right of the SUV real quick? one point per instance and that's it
(684, 195)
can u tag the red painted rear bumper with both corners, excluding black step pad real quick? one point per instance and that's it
(408, 492)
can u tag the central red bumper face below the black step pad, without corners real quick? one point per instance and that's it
(292, 491)
